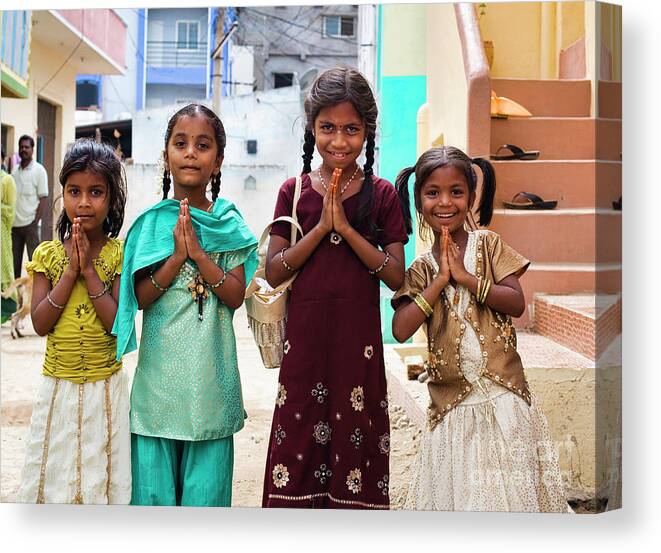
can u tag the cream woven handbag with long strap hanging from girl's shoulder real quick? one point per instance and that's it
(266, 306)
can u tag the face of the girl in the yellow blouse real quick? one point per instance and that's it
(86, 197)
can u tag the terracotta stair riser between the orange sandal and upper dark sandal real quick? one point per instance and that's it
(561, 137)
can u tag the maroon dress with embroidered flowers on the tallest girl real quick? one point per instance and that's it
(330, 438)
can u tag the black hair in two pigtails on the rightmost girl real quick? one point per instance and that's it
(435, 158)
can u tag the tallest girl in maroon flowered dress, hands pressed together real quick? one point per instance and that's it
(330, 438)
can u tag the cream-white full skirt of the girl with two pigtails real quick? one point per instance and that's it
(491, 454)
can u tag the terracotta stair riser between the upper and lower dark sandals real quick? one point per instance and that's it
(577, 183)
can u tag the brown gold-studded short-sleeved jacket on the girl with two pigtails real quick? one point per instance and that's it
(447, 385)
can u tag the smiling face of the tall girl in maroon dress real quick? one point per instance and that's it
(339, 135)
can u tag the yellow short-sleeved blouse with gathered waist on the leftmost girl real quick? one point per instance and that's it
(78, 348)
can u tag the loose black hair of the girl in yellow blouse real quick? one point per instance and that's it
(88, 155)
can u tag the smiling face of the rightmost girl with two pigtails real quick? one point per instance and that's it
(445, 199)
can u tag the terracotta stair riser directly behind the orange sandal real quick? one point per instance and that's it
(560, 98)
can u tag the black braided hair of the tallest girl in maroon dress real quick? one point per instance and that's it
(332, 87)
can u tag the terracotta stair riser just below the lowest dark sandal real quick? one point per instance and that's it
(562, 235)
